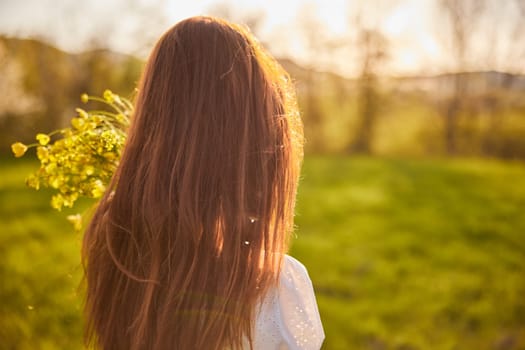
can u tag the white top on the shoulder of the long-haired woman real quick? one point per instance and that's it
(289, 317)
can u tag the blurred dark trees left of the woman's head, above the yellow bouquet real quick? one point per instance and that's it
(42, 85)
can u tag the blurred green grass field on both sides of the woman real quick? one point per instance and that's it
(404, 254)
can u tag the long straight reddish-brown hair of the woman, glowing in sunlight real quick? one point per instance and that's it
(192, 230)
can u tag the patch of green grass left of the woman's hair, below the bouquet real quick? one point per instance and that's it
(39, 267)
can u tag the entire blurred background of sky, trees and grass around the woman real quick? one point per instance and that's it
(411, 208)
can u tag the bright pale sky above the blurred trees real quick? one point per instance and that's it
(416, 31)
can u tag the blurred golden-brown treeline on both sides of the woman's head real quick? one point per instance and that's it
(473, 114)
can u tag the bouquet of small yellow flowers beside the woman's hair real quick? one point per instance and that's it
(80, 160)
